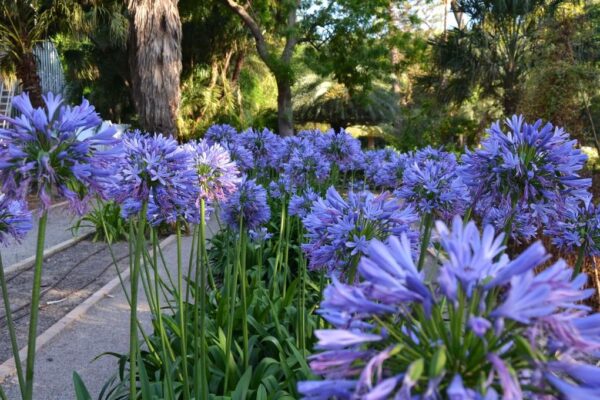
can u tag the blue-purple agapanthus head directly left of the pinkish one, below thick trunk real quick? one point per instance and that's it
(155, 170)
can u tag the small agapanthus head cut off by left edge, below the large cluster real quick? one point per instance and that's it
(15, 219)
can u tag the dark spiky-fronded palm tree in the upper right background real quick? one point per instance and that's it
(492, 52)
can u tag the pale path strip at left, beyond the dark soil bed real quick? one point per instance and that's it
(60, 220)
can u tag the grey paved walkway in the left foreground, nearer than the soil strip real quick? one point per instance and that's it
(105, 327)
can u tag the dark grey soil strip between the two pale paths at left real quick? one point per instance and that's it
(68, 279)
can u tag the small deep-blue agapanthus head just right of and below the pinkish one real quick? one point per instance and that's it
(248, 206)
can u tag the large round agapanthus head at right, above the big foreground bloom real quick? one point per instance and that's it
(530, 169)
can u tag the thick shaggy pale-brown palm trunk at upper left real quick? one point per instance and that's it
(155, 63)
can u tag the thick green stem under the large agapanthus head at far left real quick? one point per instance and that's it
(35, 306)
